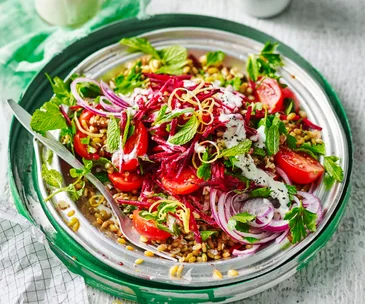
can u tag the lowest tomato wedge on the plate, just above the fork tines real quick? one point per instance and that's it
(148, 228)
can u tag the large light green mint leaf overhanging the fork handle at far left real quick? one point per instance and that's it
(48, 117)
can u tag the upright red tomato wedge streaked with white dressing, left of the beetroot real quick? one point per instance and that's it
(137, 145)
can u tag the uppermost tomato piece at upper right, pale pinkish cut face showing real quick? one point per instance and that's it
(269, 92)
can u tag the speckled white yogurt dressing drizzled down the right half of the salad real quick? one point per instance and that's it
(234, 135)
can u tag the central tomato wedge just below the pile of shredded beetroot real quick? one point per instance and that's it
(187, 182)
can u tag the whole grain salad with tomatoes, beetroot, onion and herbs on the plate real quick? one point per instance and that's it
(209, 161)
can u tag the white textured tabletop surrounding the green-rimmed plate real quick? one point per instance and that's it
(330, 35)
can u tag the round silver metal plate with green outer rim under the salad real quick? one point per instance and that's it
(191, 31)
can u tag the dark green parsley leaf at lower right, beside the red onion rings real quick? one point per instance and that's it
(300, 220)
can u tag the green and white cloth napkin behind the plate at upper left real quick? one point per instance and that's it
(27, 43)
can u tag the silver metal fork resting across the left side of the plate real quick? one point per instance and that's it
(125, 223)
